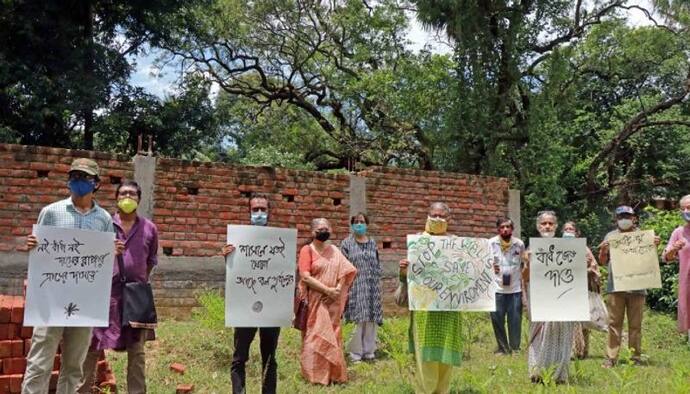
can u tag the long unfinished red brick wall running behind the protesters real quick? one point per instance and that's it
(194, 201)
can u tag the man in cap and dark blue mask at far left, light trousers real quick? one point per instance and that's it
(79, 211)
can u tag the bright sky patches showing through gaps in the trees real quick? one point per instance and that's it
(161, 82)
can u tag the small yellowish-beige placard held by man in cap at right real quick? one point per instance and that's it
(634, 262)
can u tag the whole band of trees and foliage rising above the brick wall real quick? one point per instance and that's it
(579, 104)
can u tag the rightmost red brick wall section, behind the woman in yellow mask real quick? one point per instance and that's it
(398, 201)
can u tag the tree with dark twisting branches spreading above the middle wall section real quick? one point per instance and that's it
(329, 60)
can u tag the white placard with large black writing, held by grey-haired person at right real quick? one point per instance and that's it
(558, 279)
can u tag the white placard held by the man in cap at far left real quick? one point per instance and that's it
(69, 278)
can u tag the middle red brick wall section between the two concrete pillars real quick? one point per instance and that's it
(195, 201)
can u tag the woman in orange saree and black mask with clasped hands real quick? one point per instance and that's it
(326, 276)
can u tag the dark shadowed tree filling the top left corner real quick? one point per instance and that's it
(60, 60)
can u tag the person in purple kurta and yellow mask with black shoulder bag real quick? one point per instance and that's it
(140, 238)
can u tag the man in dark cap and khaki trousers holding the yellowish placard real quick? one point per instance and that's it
(621, 303)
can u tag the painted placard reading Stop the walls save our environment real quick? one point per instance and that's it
(450, 274)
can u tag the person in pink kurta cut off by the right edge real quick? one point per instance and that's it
(679, 248)
